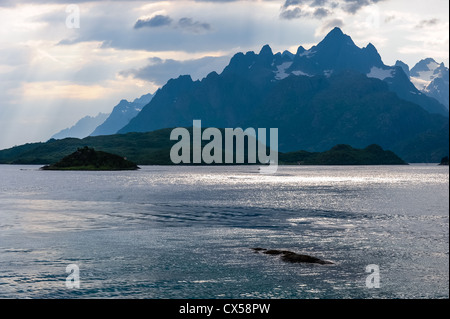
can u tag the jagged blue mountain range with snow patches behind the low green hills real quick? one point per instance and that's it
(333, 93)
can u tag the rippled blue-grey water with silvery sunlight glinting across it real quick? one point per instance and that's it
(186, 232)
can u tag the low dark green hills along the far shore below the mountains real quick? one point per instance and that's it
(154, 149)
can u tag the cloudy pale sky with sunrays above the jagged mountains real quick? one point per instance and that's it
(63, 60)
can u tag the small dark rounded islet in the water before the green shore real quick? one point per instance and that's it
(88, 159)
